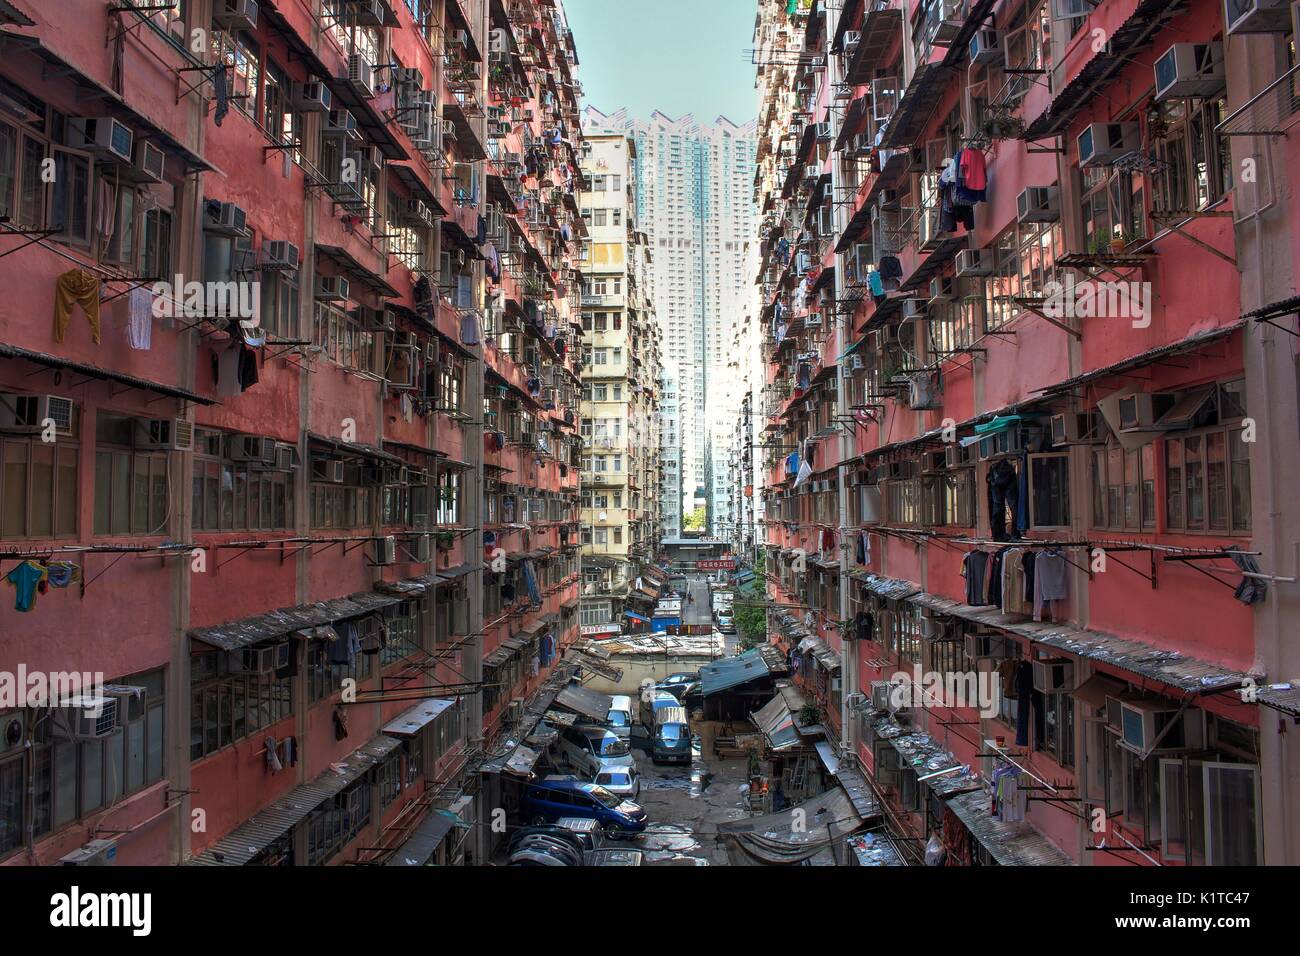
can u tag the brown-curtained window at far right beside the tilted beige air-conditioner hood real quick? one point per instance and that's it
(1208, 471)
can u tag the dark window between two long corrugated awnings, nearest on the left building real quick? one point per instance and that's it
(228, 706)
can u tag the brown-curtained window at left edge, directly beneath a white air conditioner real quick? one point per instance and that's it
(38, 488)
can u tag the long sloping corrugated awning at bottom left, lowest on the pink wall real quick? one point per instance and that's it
(265, 828)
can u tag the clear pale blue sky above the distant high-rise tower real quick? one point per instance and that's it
(677, 57)
